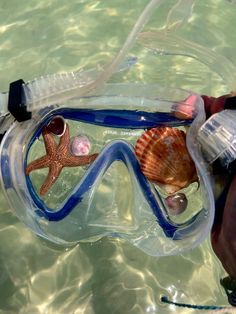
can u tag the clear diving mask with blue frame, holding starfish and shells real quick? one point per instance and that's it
(111, 196)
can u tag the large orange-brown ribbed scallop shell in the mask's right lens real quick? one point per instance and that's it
(164, 158)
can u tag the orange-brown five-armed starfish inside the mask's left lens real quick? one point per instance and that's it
(57, 157)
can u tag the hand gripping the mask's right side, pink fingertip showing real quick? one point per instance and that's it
(223, 233)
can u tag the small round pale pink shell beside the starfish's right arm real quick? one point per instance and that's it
(80, 145)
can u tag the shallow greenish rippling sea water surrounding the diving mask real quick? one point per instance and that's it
(109, 276)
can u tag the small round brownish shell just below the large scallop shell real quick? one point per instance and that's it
(176, 203)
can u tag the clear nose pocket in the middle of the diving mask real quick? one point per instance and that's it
(114, 201)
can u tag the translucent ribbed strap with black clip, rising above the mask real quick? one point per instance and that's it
(54, 89)
